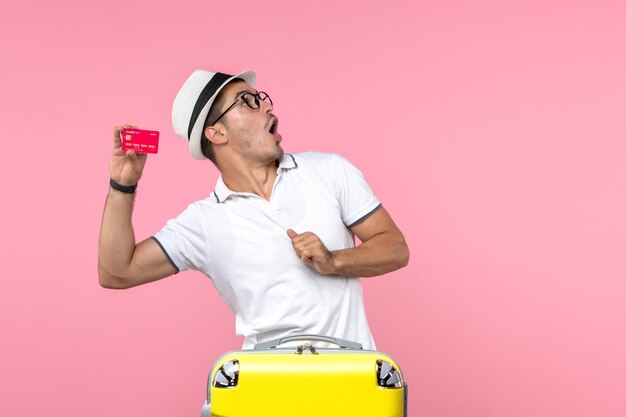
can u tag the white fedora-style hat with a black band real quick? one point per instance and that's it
(193, 101)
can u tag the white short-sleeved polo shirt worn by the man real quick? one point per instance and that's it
(240, 241)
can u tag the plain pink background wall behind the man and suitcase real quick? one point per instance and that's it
(492, 131)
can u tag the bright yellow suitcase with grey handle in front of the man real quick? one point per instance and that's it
(305, 380)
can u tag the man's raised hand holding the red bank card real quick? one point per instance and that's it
(125, 167)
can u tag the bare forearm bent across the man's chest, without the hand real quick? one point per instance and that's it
(381, 254)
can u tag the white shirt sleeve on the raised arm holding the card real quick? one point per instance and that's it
(182, 240)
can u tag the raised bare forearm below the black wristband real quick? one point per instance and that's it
(117, 238)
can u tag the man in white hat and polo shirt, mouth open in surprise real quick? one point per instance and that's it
(276, 236)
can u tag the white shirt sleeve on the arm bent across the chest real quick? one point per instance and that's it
(356, 198)
